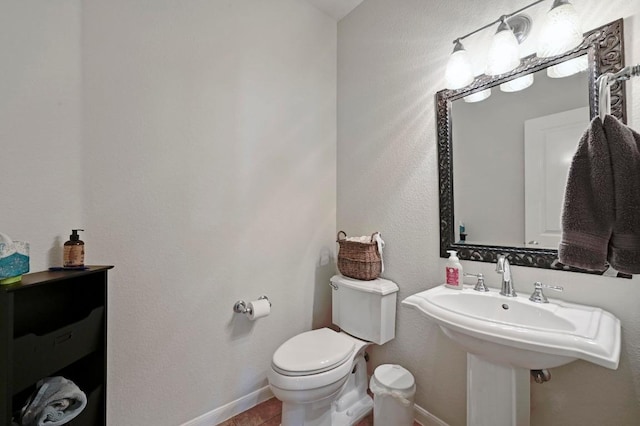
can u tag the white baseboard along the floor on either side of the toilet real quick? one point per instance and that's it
(240, 405)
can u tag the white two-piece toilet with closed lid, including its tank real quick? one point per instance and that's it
(321, 375)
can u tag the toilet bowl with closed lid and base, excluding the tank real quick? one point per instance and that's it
(327, 386)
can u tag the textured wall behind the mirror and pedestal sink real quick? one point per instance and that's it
(391, 61)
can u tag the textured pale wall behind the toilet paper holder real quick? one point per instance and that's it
(209, 145)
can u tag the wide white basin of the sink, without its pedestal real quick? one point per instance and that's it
(521, 333)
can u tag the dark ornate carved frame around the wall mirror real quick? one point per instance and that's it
(605, 50)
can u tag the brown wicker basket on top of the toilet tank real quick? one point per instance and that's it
(361, 261)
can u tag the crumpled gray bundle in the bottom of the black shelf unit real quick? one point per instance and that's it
(56, 402)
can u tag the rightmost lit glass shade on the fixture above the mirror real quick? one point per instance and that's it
(561, 31)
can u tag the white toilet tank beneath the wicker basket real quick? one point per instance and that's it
(365, 309)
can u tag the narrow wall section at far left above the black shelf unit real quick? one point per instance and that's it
(40, 125)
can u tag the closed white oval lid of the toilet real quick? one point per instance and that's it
(312, 352)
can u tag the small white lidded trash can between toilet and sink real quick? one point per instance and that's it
(393, 389)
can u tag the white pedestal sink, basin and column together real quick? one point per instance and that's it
(506, 337)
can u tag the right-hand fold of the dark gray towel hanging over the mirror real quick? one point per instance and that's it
(624, 146)
